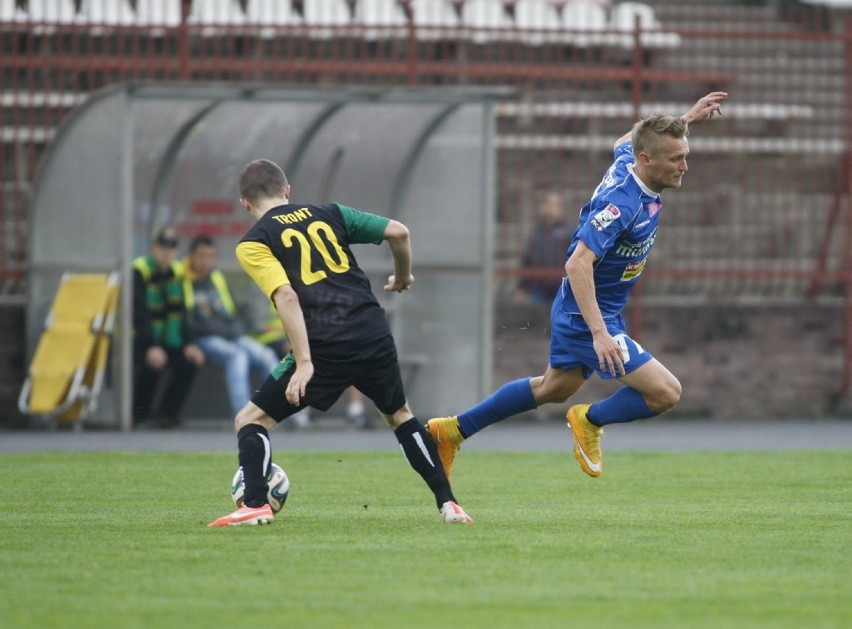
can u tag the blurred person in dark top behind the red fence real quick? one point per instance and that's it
(545, 252)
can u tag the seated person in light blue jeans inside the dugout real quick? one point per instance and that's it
(215, 326)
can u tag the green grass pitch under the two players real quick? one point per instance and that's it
(702, 539)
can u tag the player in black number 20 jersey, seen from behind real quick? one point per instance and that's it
(300, 257)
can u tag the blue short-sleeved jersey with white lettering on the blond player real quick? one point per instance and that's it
(619, 224)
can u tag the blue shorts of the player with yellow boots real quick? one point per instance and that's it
(571, 344)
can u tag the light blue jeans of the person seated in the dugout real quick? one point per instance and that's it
(238, 357)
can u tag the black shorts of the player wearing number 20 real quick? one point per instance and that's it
(373, 369)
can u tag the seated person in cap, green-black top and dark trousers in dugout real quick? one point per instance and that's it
(162, 347)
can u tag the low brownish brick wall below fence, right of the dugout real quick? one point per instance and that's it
(734, 362)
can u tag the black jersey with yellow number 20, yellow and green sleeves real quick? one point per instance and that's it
(308, 247)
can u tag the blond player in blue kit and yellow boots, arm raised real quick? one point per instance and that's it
(616, 232)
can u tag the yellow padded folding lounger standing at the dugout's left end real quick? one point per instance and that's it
(67, 368)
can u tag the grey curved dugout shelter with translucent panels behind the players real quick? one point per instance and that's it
(133, 158)
